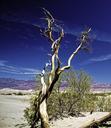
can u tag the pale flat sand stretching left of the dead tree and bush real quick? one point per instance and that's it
(11, 111)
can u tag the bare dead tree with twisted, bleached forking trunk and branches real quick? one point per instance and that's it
(56, 68)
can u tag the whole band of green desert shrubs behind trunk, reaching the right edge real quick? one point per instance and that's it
(72, 100)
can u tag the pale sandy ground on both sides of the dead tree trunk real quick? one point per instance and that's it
(11, 114)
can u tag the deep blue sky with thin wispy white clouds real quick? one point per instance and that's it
(23, 51)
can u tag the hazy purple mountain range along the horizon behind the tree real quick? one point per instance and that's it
(32, 84)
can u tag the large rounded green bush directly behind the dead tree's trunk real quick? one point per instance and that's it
(66, 101)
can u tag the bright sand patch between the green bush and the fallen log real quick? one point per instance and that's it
(80, 122)
